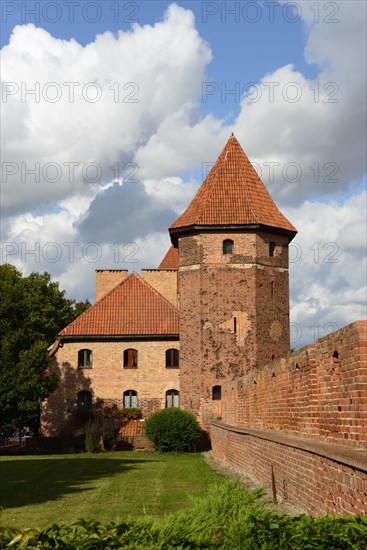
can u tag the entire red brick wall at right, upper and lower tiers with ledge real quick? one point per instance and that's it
(321, 400)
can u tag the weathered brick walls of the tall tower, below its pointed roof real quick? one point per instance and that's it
(234, 311)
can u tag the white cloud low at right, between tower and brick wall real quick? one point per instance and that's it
(327, 267)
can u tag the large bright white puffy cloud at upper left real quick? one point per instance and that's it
(93, 105)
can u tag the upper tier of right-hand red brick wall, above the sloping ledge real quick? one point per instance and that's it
(311, 393)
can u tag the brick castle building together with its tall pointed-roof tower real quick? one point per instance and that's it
(221, 292)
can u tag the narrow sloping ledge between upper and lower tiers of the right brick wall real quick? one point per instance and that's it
(355, 457)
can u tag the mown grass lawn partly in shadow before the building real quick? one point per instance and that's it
(36, 491)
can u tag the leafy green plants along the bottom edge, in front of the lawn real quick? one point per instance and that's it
(227, 518)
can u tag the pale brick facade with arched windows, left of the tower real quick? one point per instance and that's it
(108, 380)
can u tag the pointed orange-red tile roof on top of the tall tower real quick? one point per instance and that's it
(232, 194)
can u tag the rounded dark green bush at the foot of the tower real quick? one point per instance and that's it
(173, 430)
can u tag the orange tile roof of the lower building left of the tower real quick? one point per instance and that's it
(132, 308)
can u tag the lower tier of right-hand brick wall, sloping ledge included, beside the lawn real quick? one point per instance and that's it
(317, 480)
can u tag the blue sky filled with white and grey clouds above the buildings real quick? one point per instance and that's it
(114, 111)
